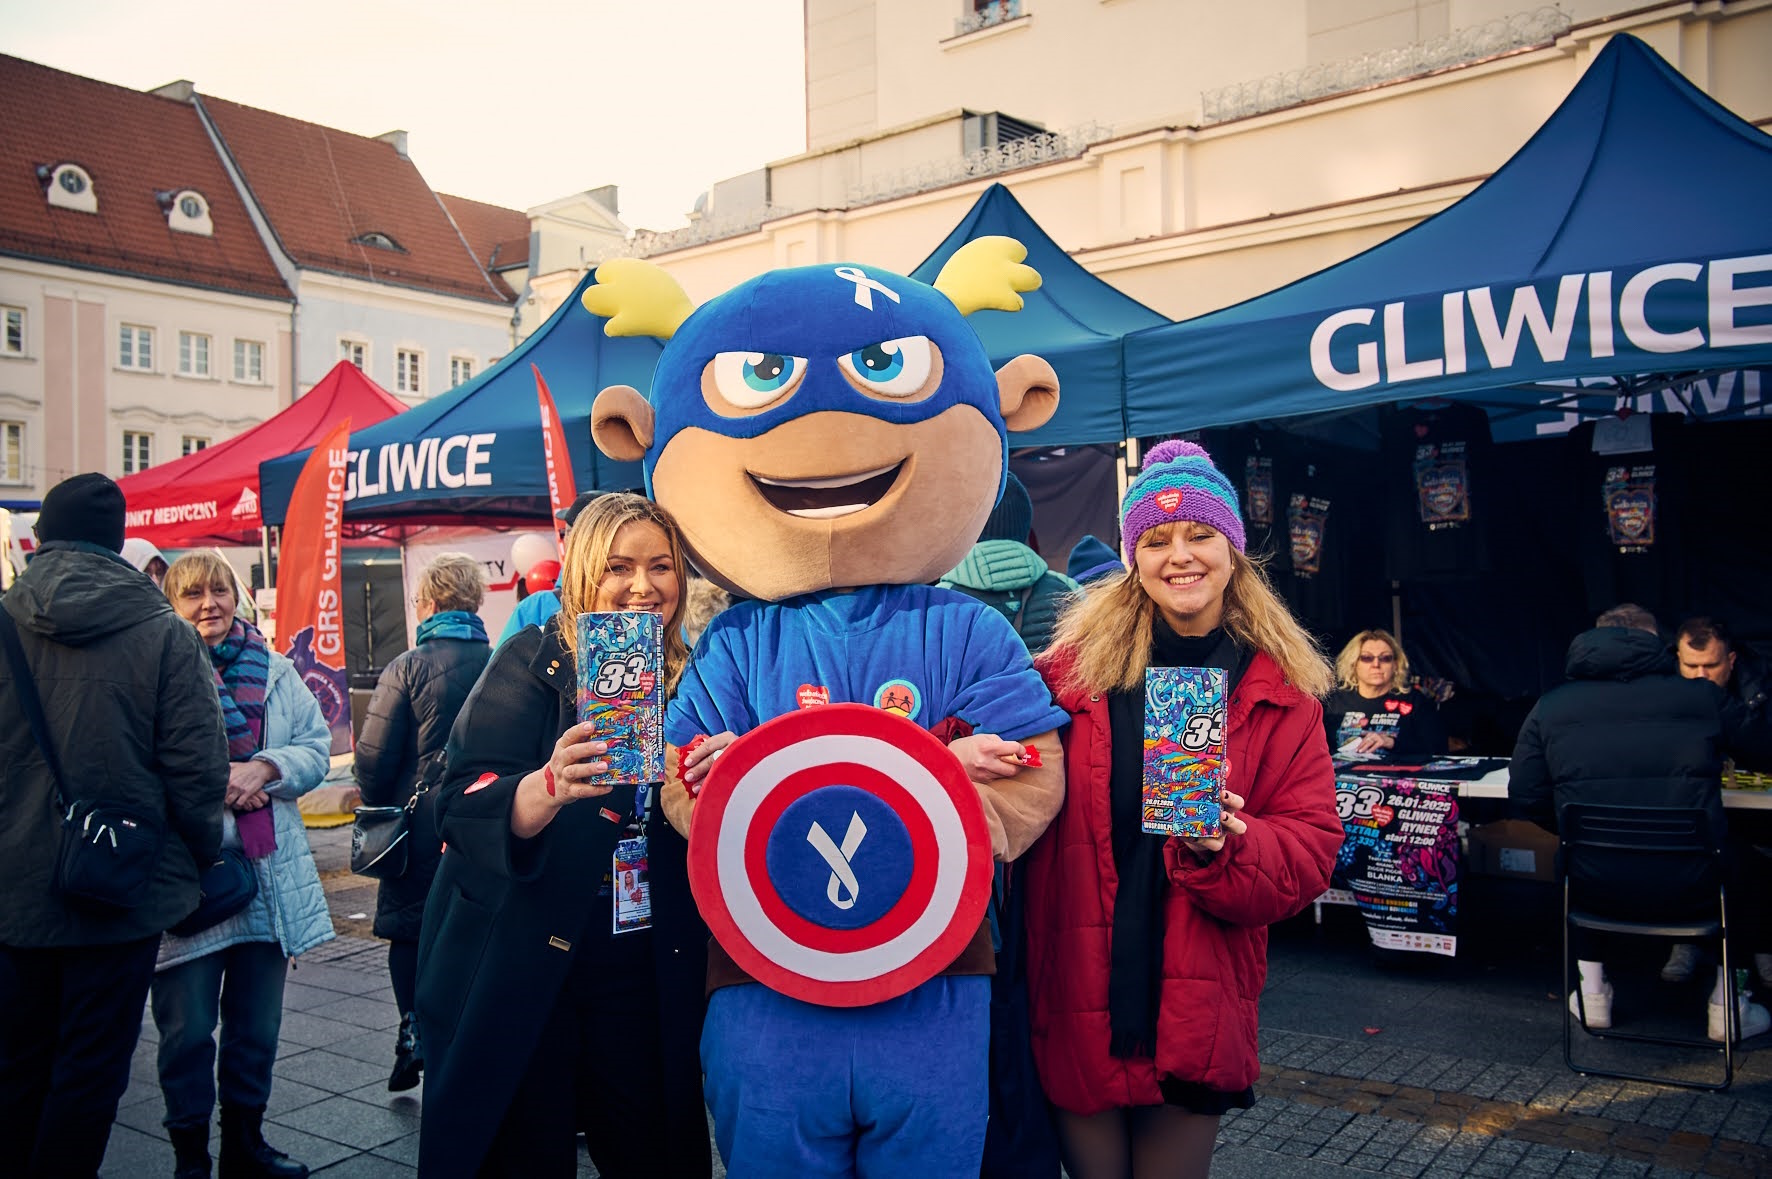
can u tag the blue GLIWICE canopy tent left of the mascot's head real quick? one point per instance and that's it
(476, 453)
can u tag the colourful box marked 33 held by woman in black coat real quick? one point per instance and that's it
(621, 691)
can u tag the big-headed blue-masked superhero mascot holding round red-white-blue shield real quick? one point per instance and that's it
(832, 441)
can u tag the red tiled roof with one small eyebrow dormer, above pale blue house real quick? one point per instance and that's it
(322, 189)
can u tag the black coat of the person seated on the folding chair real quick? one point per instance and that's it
(1626, 731)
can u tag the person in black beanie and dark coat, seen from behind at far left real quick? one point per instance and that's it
(132, 712)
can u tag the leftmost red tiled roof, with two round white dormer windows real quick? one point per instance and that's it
(134, 146)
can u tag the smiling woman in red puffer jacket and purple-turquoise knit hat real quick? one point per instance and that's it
(1147, 955)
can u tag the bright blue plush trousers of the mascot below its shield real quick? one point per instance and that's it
(894, 1089)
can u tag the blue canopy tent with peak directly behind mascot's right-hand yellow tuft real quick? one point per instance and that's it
(1075, 322)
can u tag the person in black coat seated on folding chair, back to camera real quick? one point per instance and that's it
(1628, 731)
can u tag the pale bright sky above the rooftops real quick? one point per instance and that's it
(511, 102)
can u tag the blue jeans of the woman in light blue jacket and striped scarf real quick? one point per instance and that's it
(244, 988)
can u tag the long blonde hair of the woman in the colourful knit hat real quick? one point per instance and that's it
(1110, 630)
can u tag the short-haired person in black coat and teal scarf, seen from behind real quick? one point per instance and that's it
(401, 746)
